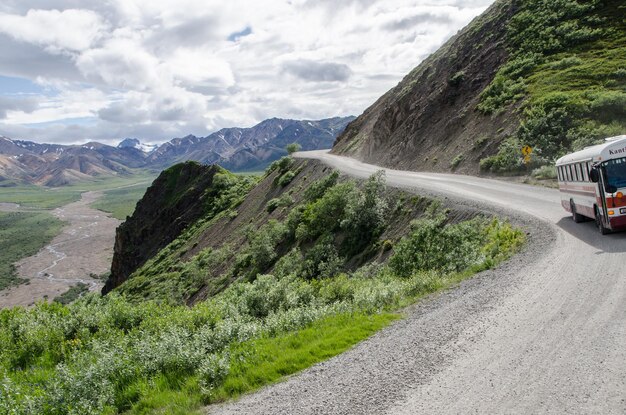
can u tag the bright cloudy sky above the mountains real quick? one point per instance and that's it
(77, 70)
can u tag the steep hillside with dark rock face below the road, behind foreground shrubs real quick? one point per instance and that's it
(302, 218)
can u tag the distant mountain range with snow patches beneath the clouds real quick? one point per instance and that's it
(237, 149)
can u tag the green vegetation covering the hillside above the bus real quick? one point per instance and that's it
(566, 75)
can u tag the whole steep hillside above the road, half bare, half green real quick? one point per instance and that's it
(545, 74)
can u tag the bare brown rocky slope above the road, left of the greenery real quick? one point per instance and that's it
(429, 118)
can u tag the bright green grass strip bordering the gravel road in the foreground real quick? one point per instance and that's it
(265, 361)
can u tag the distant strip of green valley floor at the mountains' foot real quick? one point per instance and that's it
(53, 197)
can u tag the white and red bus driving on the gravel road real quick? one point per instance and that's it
(592, 183)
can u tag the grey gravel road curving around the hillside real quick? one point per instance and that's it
(545, 333)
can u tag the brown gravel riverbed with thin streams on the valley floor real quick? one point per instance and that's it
(85, 246)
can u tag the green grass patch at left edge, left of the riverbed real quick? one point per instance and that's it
(23, 234)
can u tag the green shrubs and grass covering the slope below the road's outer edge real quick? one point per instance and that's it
(296, 289)
